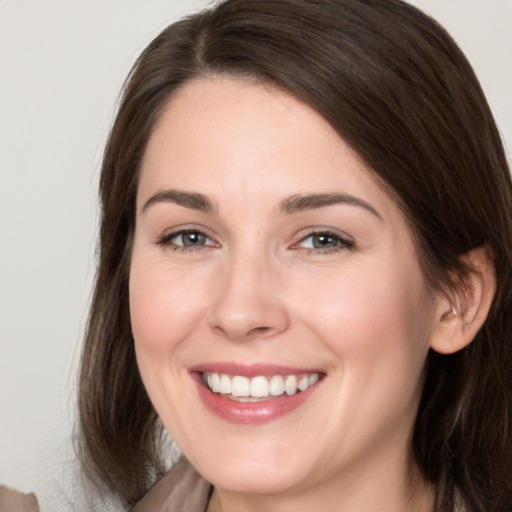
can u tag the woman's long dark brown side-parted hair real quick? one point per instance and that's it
(396, 87)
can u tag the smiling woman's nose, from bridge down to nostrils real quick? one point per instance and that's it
(248, 303)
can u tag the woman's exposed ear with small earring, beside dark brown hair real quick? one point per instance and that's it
(461, 314)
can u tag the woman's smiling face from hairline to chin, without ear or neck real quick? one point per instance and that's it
(267, 261)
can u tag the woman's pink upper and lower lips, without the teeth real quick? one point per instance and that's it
(249, 413)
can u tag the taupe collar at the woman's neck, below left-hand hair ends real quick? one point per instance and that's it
(182, 488)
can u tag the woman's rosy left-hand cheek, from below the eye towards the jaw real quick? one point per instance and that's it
(164, 310)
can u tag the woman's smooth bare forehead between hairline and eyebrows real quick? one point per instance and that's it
(223, 136)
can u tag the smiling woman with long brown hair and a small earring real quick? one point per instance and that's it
(305, 267)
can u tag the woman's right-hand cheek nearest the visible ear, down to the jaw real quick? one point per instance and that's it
(377, 327)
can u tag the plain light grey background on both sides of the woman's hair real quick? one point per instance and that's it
(62, 64)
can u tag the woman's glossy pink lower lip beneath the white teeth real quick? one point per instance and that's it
(251, 413)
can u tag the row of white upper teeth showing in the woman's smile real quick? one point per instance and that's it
(258, 387)
